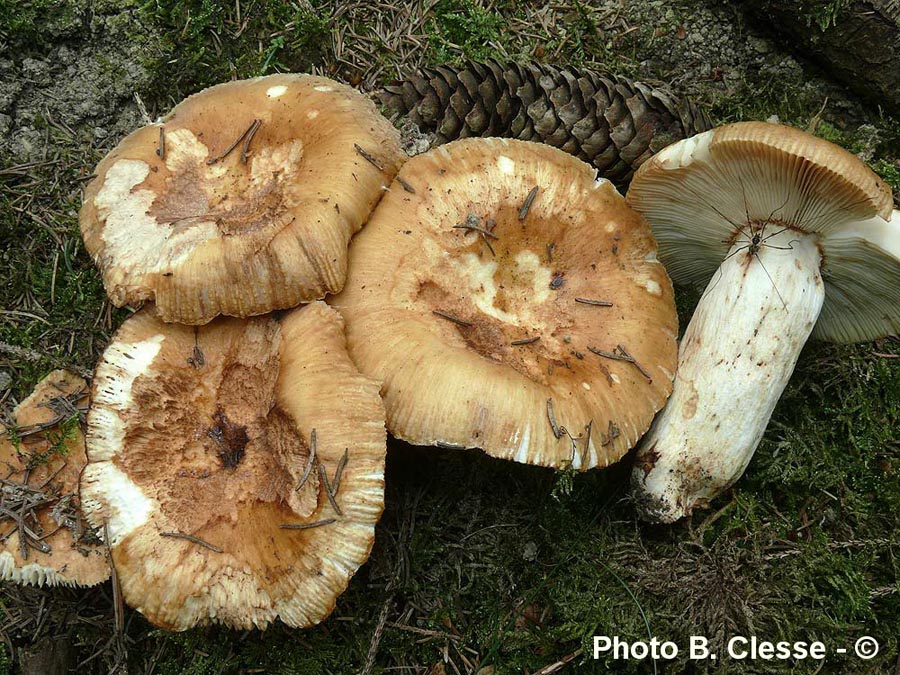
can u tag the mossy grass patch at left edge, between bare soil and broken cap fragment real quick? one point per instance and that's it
(54, 309)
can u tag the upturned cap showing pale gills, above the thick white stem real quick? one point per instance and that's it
(706, 193)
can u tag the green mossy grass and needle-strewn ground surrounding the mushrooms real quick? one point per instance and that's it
(486, 566)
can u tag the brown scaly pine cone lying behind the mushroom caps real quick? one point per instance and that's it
(608, 121)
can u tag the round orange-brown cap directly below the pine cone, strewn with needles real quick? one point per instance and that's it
(511, 302)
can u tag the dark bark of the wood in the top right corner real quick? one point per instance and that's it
(861, 48)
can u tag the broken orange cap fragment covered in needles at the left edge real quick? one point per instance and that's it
(42, 468)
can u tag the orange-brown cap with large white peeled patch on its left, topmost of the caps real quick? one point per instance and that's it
(242, 200)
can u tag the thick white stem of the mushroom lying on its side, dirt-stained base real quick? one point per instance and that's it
(735, 360)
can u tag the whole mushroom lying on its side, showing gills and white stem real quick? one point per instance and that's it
(794, 236)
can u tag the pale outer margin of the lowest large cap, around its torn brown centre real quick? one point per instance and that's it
(178, 584)
